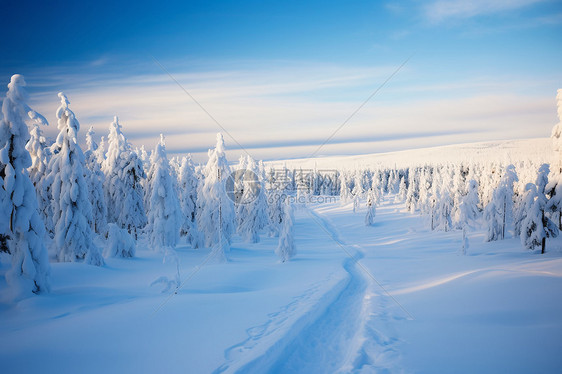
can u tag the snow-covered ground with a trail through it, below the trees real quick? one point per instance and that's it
(393, 297)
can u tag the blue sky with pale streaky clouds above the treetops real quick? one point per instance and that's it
(282, 76)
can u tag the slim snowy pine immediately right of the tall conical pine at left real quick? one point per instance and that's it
(94, 179)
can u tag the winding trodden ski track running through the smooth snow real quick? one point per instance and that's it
(335, 332)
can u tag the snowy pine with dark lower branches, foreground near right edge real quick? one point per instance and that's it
(536, 227)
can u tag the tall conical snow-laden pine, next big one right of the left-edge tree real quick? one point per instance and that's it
(72, 210)
